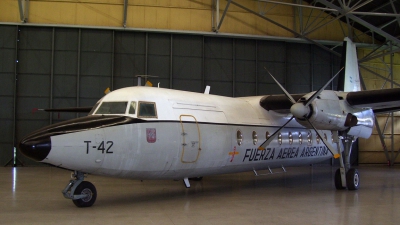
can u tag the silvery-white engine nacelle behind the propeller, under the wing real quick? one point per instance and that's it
(330, 112)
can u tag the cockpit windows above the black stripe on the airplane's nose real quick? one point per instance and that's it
(140, 109)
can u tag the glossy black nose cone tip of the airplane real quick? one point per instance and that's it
(36, 148)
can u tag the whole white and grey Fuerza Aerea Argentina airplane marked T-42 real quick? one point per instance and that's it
(155, 133)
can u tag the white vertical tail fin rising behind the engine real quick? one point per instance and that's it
(349, 80)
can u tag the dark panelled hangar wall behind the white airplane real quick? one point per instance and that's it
(66, 67)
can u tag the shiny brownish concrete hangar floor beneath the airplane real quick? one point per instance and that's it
(304, 195)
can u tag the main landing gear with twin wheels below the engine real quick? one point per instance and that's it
(346, 177)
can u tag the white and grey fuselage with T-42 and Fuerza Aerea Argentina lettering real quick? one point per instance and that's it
(155, 133)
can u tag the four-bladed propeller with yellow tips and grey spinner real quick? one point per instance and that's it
(301, 110)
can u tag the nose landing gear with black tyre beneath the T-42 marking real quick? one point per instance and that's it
(82, 193)
